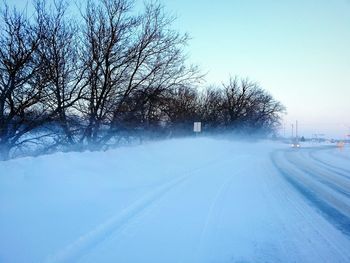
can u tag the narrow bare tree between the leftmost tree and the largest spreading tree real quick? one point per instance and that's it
(61, 72)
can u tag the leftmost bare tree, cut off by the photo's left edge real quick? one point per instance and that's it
(20, 101)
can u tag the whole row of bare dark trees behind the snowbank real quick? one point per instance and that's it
(87, 82)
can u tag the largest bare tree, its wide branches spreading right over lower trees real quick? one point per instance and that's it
(127, 56)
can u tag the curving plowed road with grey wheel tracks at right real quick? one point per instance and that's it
(325, 185)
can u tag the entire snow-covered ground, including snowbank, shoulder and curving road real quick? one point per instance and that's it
(188, 200)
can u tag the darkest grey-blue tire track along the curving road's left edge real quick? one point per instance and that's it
(326, 203)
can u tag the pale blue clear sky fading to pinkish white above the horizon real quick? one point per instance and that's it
(298, 50)
